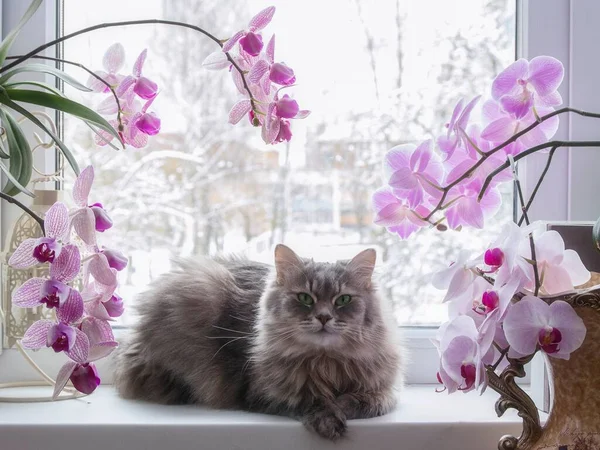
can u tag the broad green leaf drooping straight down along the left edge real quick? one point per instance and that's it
(21, 158)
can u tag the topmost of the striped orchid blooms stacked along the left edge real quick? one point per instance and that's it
(33, 251)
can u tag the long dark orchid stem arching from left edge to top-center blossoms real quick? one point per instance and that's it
(100, 26)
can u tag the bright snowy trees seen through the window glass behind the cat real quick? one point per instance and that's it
(374, 74)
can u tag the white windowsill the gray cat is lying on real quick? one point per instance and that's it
(424, 420)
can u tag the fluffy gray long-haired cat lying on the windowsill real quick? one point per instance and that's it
(305, 339)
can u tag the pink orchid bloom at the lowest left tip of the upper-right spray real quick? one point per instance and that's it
(395, 214)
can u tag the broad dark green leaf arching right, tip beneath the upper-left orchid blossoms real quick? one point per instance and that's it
(62, 104)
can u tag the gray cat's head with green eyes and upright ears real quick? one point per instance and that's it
(322, 305)
